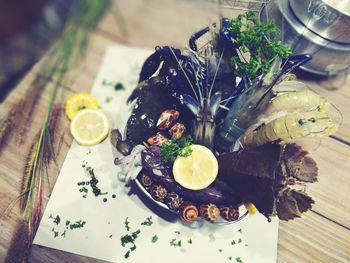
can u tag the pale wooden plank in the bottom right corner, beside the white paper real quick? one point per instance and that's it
(313, 239)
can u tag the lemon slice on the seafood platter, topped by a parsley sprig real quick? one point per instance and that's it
(198, 170)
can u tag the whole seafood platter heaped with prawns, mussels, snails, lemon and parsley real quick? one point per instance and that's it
(215, 128)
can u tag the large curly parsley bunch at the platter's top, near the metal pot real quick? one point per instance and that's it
(258, 41)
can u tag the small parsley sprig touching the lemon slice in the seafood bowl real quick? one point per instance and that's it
(174, 148)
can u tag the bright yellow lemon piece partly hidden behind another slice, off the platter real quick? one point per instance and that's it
(78, 102)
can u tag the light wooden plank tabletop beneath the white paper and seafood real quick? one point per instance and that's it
(322, 235)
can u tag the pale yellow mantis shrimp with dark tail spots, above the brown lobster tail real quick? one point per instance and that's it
(312, 124)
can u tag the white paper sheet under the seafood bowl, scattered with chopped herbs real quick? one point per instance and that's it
(251, 240)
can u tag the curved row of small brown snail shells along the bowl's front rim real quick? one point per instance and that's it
(188, 211)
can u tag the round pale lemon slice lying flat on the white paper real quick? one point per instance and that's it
(89, 127)
